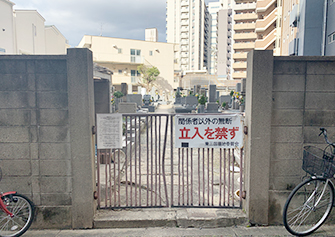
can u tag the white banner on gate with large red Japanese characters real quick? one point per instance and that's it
(208, 131)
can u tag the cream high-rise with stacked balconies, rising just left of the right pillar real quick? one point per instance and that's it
(244, 35)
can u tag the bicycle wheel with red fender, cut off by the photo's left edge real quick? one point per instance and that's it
(23, 211)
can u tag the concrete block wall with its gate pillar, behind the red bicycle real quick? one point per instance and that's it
(47, 146)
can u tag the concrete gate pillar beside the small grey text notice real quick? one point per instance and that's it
(81, 120)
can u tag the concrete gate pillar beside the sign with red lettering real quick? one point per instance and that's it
(257, 148)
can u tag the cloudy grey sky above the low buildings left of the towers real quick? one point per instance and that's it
(113, 18)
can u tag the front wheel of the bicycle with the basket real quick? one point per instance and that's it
(308, 206)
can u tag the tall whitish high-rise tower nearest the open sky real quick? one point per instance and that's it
(188, 25)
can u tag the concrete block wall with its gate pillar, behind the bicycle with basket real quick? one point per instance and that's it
(287, 100)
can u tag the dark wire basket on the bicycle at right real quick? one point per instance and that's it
(318, 162)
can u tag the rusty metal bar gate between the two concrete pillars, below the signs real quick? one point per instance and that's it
(149, 172)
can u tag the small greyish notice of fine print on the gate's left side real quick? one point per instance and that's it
(109, 131)
